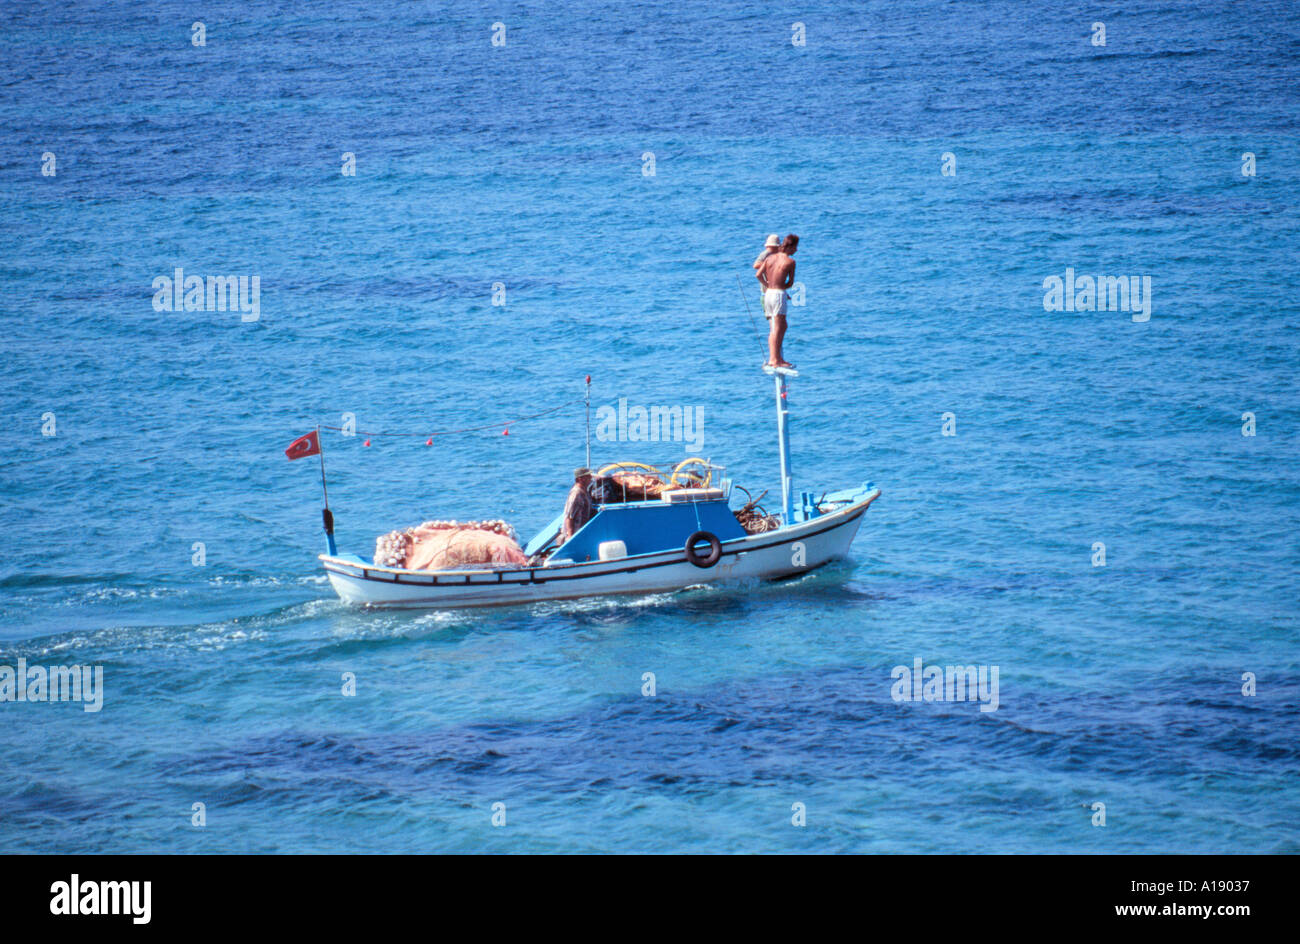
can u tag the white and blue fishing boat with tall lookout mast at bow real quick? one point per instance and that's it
(686, 536)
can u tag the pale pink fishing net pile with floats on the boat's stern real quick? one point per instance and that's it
(450, 545)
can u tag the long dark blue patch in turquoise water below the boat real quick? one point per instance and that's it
(803, 729)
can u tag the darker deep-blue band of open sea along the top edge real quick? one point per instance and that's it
(929, 71)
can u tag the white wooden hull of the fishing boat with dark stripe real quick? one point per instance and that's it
(783, 553)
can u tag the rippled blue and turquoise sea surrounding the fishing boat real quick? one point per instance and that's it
(526, 164)
